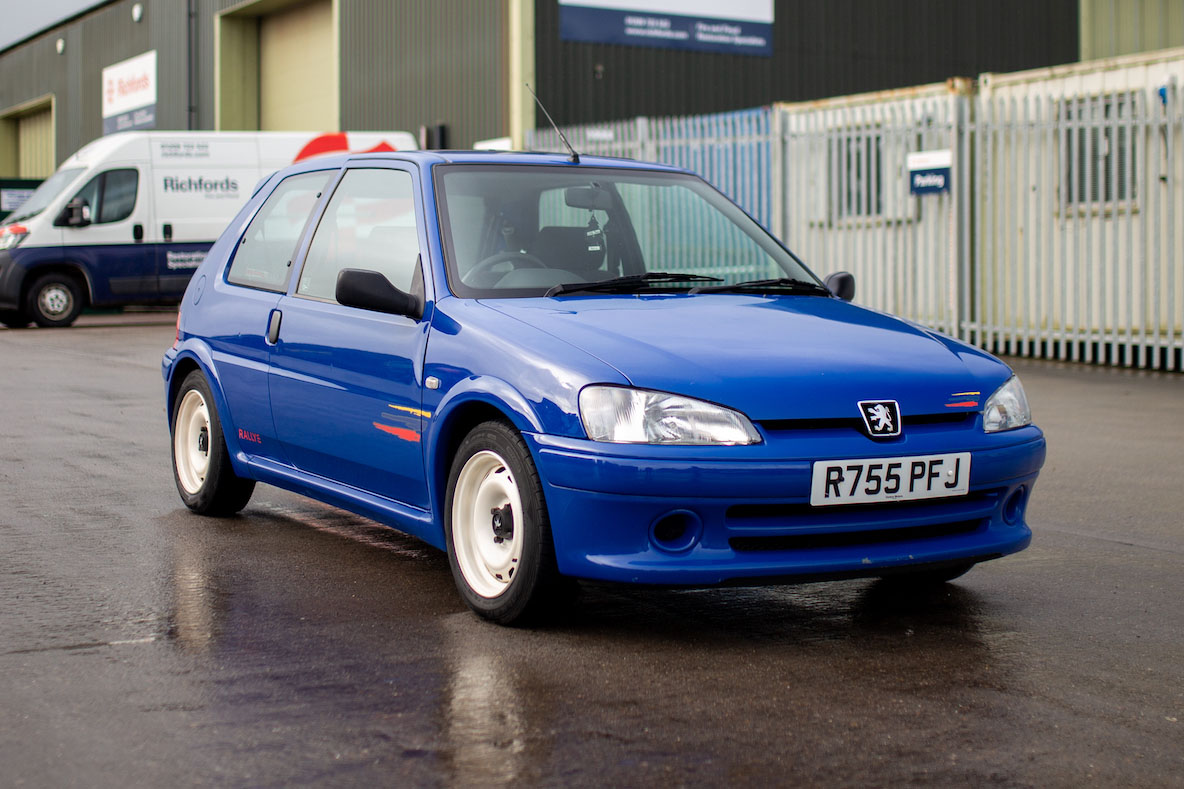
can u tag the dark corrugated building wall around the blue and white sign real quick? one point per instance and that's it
(821, 49)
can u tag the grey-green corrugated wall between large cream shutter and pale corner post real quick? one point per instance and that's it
(408, 65)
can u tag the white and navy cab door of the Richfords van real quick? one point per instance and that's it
(111, 246)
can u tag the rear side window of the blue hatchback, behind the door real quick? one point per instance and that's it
(266, 251)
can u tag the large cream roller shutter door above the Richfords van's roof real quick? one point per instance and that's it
(298, 72)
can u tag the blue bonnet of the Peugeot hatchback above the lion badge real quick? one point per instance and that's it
(773, 358)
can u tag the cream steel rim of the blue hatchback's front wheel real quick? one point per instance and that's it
(486, 484)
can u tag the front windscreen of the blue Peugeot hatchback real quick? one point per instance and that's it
(527, 230)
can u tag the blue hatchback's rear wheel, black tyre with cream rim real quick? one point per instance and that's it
(202, 466)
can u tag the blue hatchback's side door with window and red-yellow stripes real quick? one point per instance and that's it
(348, 383)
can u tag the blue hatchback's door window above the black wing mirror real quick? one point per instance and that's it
(370, 224)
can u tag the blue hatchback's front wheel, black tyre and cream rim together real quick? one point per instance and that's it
(499, 535)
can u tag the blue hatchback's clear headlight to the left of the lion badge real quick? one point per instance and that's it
(638, 416)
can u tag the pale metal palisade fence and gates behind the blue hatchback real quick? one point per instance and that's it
(1061, 238)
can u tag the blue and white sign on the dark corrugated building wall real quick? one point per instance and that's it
(736, 27)
